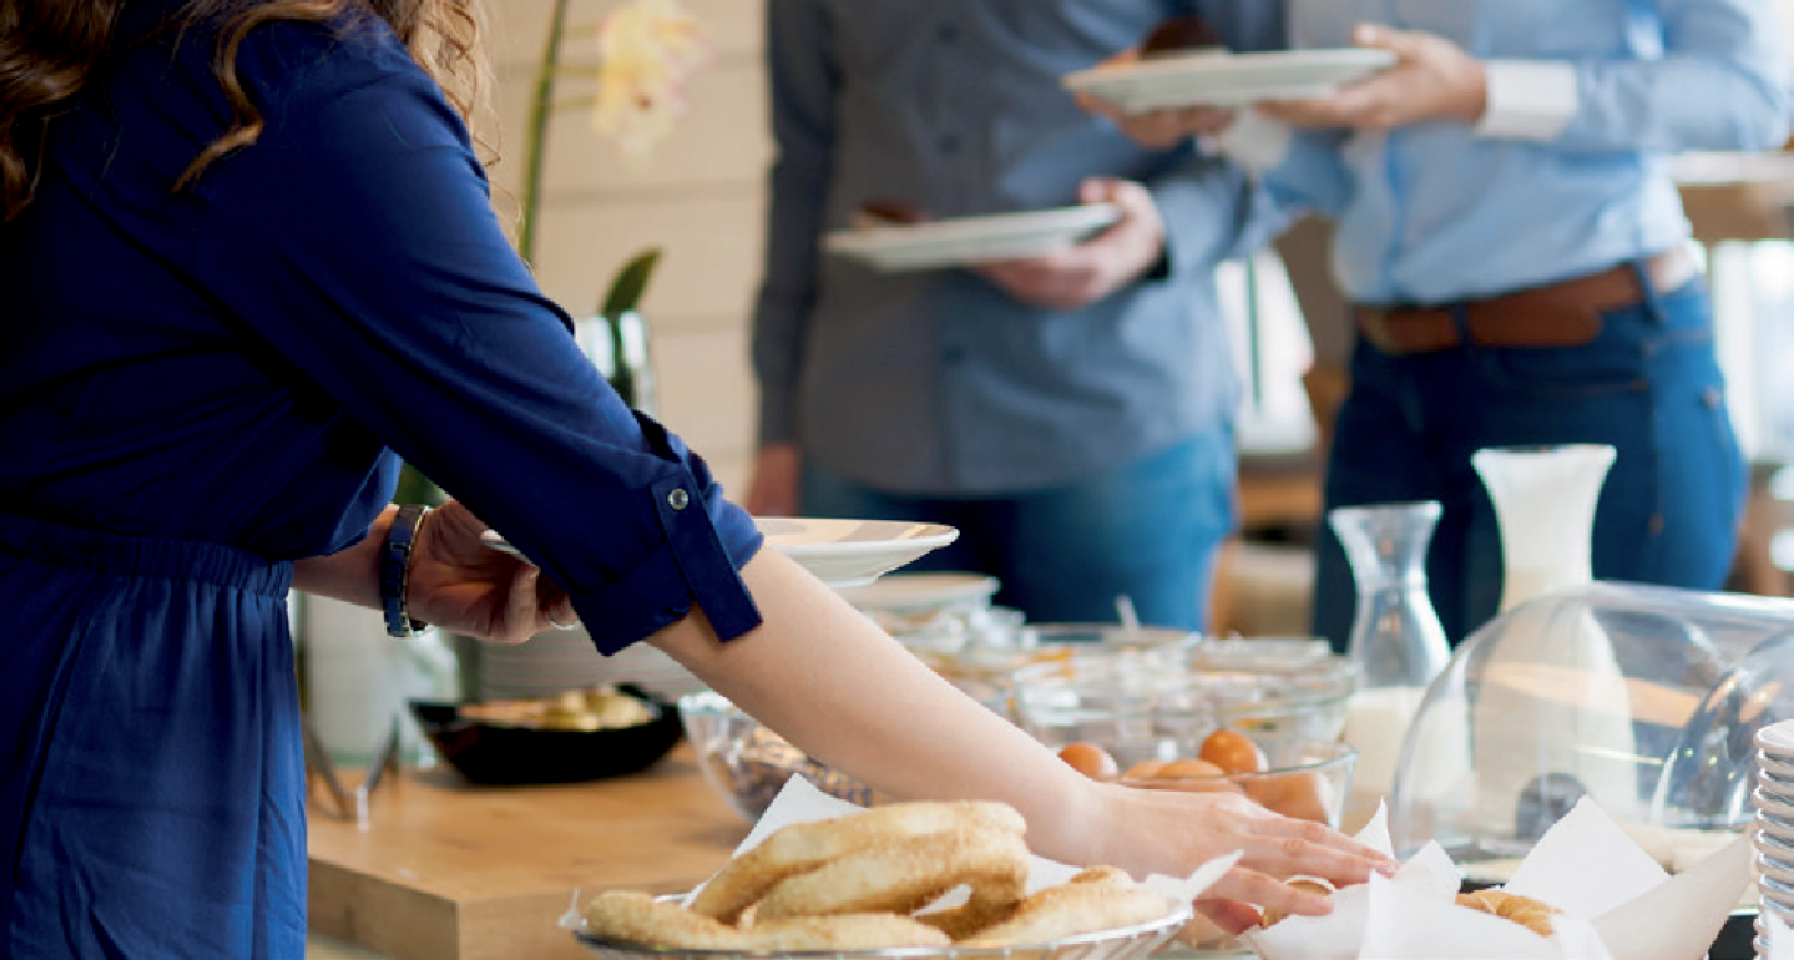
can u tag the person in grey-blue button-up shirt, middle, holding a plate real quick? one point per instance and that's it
(1072, 415)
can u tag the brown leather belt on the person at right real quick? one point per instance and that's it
(1556, 315)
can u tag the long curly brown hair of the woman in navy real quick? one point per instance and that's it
(51, 49)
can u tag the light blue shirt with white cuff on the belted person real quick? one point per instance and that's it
(1569, 173)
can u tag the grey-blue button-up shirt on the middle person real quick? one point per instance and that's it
(939, 383)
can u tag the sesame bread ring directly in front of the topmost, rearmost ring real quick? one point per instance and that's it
(905, 875)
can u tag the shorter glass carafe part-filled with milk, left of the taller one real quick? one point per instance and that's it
(1397, 640)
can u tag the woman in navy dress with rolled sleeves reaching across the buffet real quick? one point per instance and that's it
(247, 263)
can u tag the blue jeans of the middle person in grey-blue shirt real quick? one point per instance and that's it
(1147, 530)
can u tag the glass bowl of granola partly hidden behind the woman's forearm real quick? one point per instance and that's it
(749, 765)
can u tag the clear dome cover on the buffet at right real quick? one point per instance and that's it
(1646, 699)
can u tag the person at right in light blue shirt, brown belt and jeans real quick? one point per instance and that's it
(1519, 261)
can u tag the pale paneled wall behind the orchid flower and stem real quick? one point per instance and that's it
(699, 196)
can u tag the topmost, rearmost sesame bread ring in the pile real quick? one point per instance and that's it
(808, 846)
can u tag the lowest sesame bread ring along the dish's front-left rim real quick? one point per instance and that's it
(641, 920)
